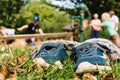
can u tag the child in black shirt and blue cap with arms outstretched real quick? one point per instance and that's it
(32, 28)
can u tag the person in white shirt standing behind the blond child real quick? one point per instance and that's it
(114, 20)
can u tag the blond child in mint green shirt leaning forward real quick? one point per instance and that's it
(106, 24)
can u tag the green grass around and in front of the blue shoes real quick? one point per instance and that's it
(67, 73)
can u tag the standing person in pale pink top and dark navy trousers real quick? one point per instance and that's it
(93, 26)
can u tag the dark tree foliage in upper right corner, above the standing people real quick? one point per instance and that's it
(100, 6)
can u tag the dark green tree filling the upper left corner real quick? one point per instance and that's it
(8, 12)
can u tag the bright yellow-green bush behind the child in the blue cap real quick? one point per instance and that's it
(52, 20)
